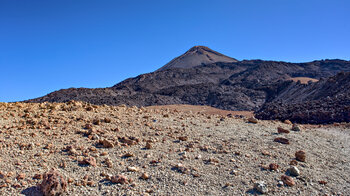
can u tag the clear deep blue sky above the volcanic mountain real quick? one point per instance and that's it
(48, 45)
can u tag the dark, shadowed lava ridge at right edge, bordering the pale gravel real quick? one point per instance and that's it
(326, 101)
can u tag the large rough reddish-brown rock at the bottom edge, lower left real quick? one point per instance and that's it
(53, 183)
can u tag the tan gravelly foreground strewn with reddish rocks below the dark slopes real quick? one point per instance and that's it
(81, 149)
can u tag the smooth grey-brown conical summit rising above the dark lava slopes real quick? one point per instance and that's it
(197, 55)
